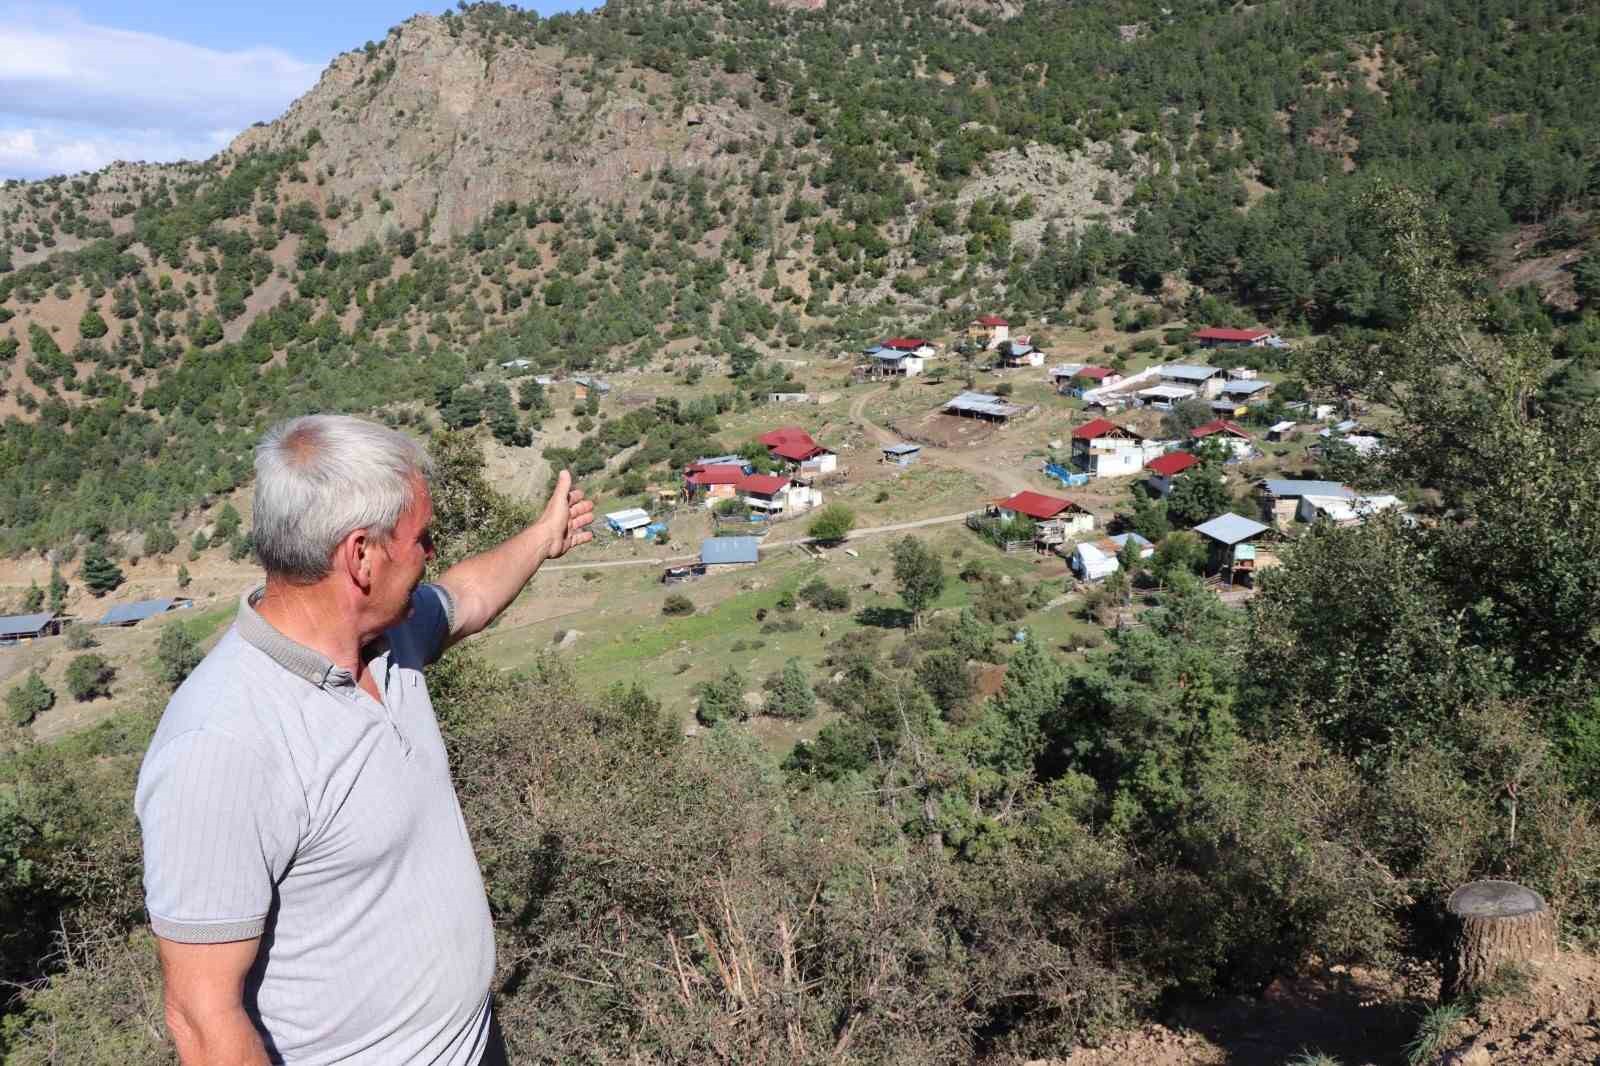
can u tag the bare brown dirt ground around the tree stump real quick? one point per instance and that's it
(1367, 1019)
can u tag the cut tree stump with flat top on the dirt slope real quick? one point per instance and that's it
(1495, 923)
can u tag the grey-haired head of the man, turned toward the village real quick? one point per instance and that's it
(345, 499)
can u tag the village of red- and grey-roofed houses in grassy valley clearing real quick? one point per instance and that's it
(1017, 468)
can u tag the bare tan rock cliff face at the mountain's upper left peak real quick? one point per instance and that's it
(431, 130)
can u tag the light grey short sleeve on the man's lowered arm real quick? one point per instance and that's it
(220, 832)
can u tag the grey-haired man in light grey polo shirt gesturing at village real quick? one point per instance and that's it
(306, 865)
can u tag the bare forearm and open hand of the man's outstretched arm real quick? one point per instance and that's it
(486, 585)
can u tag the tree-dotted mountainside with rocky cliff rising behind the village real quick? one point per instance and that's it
(729, 183)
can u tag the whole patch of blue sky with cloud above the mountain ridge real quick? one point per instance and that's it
(94, 82)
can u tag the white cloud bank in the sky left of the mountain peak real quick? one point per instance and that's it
(76, 95)
